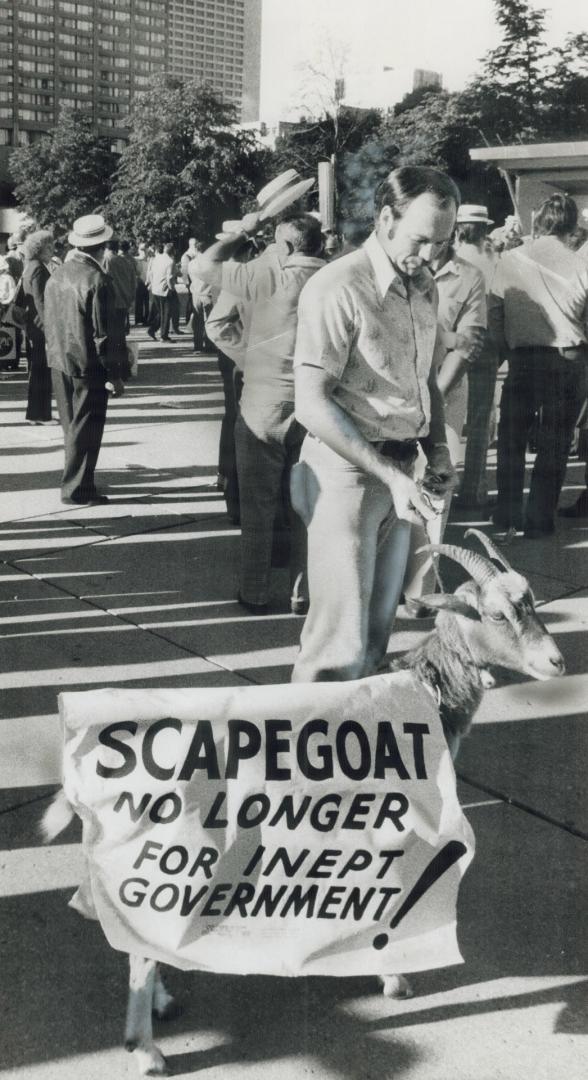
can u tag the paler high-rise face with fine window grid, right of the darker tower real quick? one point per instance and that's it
(219, 42)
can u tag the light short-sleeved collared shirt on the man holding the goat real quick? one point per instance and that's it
(375, 332)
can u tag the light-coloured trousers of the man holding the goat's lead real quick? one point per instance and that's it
(357, 557)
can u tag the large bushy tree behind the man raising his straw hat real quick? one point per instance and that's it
(186, 167)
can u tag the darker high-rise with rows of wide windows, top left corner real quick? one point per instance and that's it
(91, 56)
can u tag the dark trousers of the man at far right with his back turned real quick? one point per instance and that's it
(539, 381)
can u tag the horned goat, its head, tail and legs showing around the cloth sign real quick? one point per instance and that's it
(490, 620)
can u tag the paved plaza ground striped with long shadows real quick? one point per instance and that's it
(141, 593)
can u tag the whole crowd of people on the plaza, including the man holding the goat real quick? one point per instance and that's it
(350, 376)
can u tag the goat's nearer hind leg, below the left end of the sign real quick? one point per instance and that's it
(139, 1035)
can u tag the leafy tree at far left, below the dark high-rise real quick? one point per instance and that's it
(64, 175)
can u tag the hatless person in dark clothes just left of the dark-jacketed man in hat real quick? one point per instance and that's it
(38, 251)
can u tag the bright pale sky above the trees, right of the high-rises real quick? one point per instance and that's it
(447, 36)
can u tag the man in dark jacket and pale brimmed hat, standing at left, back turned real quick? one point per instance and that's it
(87, 355)
